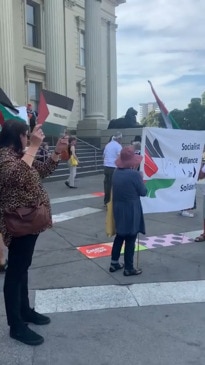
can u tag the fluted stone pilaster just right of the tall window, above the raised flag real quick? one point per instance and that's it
(55, 46)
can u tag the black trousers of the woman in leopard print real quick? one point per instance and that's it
(16, 278)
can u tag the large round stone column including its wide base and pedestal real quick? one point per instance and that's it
(90, 128)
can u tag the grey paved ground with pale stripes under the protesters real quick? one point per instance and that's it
(99, 318)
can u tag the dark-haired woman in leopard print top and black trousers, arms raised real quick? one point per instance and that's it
(21, 188)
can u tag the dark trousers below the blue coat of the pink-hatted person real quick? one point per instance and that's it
(129, 250)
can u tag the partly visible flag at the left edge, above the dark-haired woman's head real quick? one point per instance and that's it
(7, 109)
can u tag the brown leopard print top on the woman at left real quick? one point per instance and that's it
(20, 185)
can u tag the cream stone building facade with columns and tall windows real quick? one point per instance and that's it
(66, 46)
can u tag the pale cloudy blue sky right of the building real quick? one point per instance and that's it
(162, 41)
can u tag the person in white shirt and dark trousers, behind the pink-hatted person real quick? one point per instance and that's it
(111, 153)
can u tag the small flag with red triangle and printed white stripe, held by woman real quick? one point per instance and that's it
(54, 112)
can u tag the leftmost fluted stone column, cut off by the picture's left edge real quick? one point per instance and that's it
(7, 65)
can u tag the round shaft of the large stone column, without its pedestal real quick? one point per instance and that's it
(93, 59)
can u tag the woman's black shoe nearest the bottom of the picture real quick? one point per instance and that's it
(26, 335)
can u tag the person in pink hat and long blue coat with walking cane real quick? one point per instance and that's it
(127, 187)
